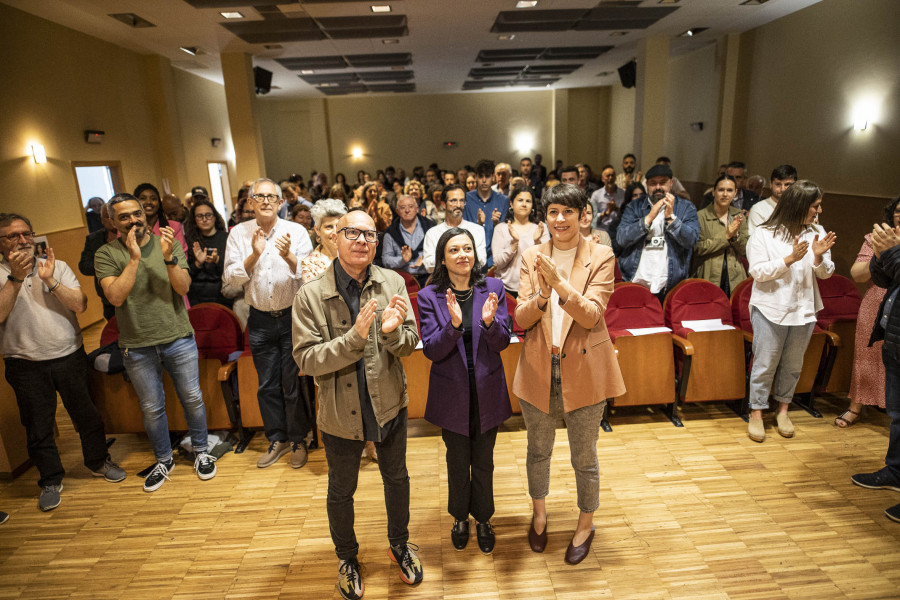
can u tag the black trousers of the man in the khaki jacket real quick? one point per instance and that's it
(343, 457)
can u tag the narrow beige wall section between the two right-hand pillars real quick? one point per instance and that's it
(693, 93)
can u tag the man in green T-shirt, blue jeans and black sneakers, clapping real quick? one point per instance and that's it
(146, 277)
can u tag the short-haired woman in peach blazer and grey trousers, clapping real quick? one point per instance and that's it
(568, 368)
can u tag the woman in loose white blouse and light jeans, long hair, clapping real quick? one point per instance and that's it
(786, 253)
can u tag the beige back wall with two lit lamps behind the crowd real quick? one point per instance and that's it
(404, 131)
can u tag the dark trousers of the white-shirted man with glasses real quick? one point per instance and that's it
(284, 416)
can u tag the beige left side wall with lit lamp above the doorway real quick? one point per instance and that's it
(50, 98)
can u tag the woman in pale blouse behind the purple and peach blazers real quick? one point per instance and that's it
(520, 232)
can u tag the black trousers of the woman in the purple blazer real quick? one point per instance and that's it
(470, 467)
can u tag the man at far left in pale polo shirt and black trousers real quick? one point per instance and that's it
(43, 353)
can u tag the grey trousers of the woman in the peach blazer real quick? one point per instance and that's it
(583, 426)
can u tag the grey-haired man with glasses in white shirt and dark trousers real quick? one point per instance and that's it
(263, 256)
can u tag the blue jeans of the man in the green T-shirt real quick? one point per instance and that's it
(144, 367)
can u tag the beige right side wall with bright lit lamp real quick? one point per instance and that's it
(803, 76)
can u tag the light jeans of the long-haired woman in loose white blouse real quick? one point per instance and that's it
(777, 359)
